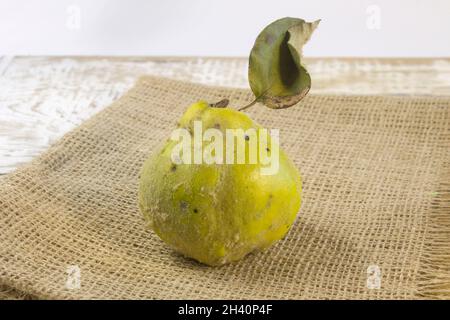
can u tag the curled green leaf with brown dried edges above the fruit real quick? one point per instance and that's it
(276, 73)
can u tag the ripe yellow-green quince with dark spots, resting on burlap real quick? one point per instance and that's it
(217, 213)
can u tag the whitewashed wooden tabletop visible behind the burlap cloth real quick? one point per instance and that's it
(41, 98)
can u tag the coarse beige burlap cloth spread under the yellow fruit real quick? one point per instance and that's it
(376, 174)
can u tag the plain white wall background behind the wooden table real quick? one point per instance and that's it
(379, 28)
